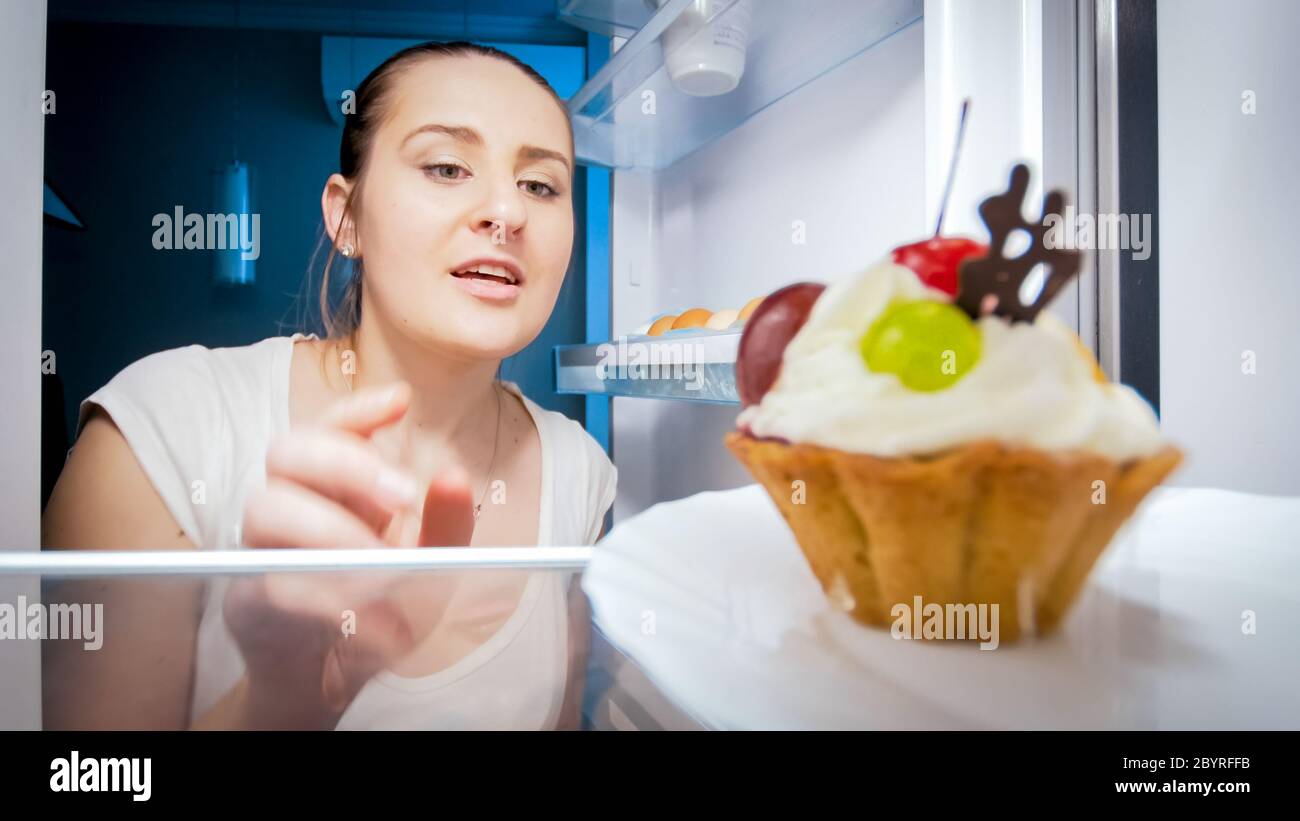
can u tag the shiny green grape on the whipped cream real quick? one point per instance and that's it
(928, 345)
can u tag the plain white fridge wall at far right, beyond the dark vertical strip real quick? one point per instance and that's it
(1229, 283)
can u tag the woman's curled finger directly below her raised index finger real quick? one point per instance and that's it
(345, 468)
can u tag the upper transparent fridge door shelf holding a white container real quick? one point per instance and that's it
(632, 116)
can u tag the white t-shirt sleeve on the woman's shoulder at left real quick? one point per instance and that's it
(171, 414)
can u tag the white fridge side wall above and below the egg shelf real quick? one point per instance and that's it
(817, 186)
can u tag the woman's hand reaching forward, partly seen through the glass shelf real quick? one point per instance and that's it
(311, 641)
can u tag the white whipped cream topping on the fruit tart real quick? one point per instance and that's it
(1032, 386)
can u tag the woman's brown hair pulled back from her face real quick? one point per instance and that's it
(359, 127)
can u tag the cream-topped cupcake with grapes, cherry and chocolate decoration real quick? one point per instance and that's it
(929, 435)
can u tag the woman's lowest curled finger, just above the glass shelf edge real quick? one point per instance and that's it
(288, 515)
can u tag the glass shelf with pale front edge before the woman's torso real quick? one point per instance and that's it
(378, 640)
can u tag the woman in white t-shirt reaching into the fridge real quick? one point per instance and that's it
(454, 205)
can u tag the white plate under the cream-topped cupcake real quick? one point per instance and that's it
(713, 598)
